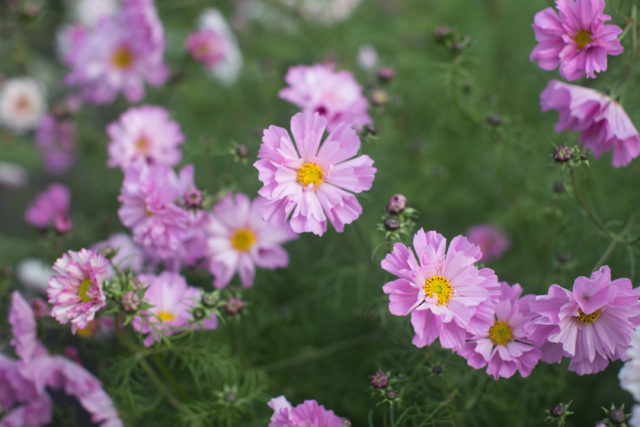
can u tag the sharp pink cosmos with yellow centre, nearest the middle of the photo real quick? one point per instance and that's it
(307, 181)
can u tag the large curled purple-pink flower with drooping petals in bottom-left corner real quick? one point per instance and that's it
(24, 382)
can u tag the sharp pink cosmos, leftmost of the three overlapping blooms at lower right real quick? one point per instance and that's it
(445, 293)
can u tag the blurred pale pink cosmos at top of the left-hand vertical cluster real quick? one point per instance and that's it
(144, 134)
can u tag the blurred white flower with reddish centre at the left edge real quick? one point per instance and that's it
(22, 104)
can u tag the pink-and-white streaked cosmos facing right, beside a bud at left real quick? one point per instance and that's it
(75, 288)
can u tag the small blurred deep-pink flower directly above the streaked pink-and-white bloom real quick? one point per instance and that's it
(51, 207)
